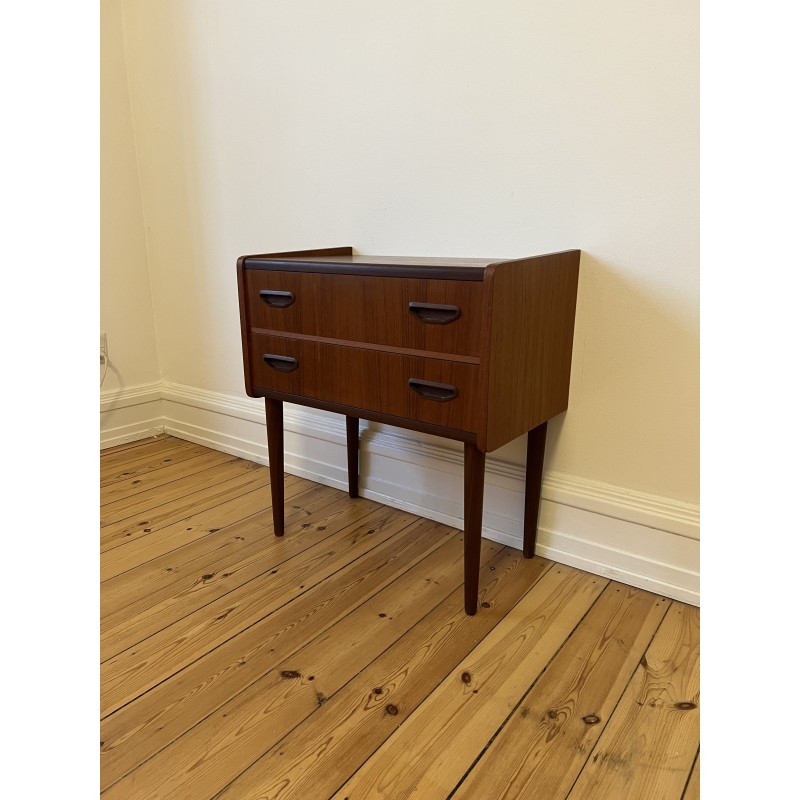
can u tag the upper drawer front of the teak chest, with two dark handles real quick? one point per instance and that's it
(432, 315)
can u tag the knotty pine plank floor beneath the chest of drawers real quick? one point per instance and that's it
(337, 662)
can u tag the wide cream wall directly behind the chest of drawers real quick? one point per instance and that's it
(449, 128)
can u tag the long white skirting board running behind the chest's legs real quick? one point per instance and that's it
(641, 539)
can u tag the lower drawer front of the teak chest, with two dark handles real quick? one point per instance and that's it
(430, 390)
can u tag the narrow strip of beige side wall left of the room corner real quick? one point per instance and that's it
(126, 309)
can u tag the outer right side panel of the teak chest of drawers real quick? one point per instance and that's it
(533, 321)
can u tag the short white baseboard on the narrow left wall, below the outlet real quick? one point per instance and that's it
(130, 414)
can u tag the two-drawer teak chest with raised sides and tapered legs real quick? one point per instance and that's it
(477, 350)
